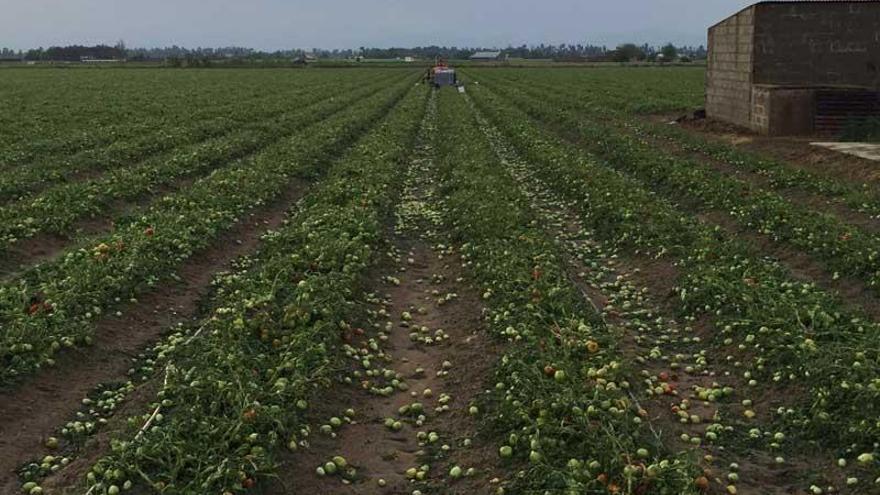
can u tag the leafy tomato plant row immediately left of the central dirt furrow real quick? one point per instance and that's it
(236, 390)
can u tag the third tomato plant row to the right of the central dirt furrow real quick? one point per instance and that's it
(842, 247)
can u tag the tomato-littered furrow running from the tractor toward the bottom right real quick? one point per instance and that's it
(674, 380)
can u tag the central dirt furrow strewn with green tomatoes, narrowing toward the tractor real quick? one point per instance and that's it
(408, 418)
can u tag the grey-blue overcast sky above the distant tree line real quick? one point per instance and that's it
(275, 24)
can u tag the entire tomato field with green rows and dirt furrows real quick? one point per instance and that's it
(282, 281)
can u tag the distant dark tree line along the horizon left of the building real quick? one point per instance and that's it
(181, 56)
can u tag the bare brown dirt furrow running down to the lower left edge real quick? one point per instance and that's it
(34, 408)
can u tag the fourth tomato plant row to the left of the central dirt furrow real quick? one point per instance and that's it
(203, 123)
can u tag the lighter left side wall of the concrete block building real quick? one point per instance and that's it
(729, 71)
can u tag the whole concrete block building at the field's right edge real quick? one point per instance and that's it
(795, 67)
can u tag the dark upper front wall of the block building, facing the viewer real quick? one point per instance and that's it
(817, 43)
